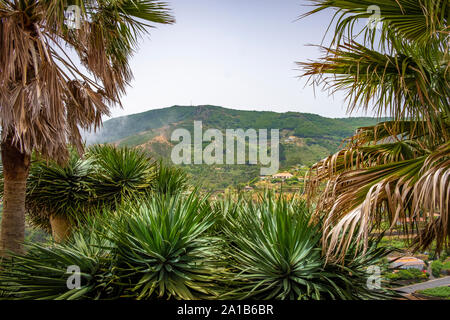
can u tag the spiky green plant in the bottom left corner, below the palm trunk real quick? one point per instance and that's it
(43, 273)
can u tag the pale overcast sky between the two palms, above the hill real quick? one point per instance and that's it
(233, 53)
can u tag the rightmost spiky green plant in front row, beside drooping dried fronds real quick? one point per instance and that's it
(274, 252)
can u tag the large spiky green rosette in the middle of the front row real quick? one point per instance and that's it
(163, 249)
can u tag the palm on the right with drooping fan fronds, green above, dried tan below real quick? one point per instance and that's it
(399, 169)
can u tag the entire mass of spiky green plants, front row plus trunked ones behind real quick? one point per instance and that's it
(137, 230)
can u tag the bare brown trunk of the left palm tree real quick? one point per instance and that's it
(15, 172)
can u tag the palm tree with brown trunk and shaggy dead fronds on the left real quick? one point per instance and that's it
(46, 97)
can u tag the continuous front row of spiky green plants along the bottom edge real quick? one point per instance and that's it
(185, 247)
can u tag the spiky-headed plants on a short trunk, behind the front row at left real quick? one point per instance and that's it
(59, 196)
